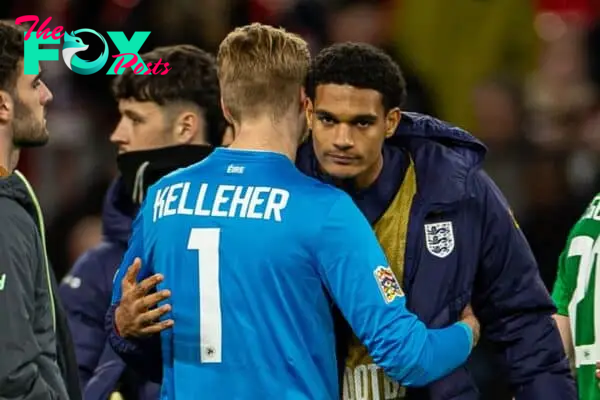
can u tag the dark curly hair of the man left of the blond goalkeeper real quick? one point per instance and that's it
(192, 78)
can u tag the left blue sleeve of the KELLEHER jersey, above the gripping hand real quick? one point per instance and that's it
(136, 248)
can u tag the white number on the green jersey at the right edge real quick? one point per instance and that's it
(588, 251)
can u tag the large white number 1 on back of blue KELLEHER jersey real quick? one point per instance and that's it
(206, 242)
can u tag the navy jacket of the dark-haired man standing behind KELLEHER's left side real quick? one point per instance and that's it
(86, 293)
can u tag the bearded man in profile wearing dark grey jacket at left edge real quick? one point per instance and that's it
(37, 359)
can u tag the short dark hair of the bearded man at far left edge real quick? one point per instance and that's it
(12, 52)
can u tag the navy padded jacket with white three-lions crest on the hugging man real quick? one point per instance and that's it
(490, 265)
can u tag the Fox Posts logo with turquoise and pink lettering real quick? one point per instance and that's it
(128, 56)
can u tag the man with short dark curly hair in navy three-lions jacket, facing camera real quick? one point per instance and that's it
(447, 230)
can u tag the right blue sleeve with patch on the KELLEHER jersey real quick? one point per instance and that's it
(355, 271)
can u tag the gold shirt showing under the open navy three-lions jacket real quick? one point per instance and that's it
(362, 377)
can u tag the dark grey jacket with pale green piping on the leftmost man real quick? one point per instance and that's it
(36, 354)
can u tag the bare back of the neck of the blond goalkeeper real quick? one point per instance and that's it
(266, 135)
